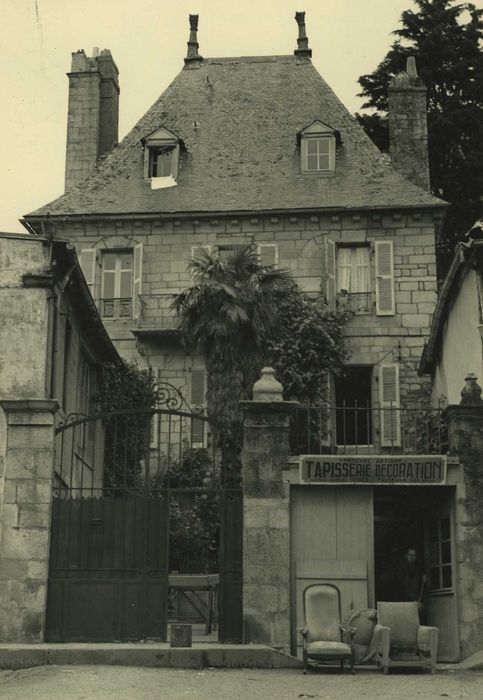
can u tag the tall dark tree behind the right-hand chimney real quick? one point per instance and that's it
(445, 37)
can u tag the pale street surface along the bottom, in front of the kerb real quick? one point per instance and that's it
(126, 683)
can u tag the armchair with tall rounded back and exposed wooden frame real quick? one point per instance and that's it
(323, 637)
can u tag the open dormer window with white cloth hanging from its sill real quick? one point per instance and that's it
(161, 158)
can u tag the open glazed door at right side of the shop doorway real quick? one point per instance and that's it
(442, 603)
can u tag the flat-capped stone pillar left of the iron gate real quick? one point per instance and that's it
(26, 475)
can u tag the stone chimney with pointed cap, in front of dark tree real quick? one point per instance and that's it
(408, 125)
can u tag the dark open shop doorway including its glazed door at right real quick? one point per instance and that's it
(421, 519)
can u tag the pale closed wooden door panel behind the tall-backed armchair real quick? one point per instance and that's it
(332, 542)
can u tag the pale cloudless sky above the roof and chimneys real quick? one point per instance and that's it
(147, 39)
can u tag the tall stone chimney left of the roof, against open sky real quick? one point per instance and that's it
(93, 116)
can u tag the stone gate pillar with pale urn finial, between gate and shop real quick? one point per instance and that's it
(266, 516)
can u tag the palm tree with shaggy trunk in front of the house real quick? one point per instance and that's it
(226, 316)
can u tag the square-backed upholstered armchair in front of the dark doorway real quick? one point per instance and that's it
(400, 640)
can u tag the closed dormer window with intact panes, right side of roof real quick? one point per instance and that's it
(317, 148)
